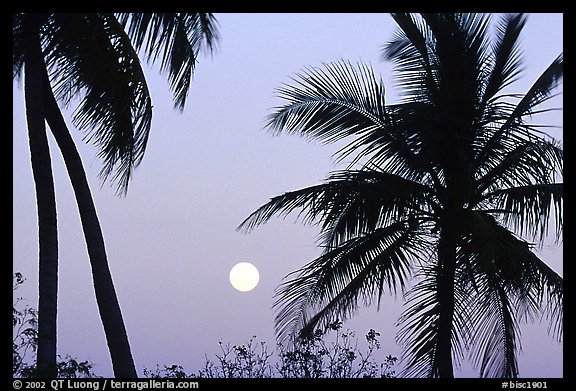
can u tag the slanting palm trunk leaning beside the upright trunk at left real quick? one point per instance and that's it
(108, 306)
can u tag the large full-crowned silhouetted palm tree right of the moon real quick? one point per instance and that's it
(453, 191)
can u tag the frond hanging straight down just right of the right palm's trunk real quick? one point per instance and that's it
(490, 265)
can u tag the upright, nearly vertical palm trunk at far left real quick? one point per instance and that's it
(46, 203)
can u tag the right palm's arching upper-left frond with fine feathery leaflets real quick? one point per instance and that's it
(342, 101)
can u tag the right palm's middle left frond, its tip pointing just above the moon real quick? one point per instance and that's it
(348, 204)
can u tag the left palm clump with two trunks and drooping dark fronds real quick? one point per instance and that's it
(94, 57)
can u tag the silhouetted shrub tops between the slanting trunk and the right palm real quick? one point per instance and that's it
(306, 357)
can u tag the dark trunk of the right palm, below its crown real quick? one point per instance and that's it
(445, 290)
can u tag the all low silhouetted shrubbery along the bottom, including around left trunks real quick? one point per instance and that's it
(309, 357)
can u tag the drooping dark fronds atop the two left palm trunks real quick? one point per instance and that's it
(93, 58)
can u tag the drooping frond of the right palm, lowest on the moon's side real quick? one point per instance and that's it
(336, 283)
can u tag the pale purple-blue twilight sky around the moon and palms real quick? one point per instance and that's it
(172, 240)
